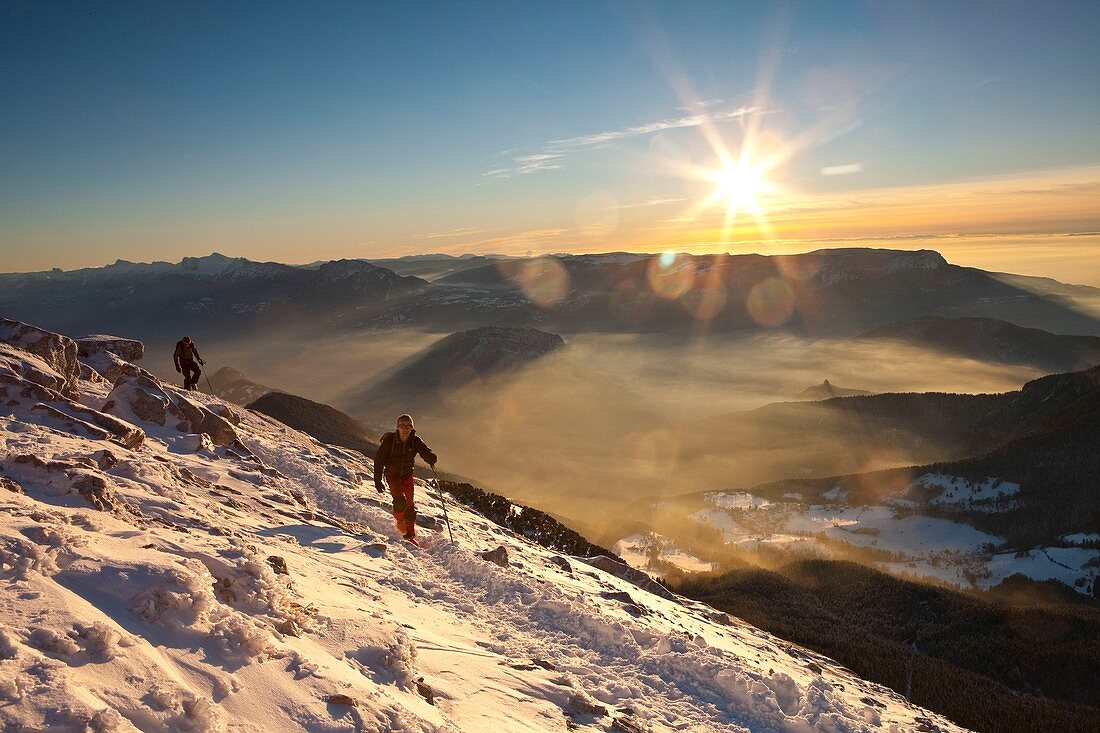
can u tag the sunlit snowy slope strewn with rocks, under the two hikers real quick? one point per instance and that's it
(164, 610)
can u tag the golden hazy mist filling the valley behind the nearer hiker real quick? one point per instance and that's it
(595, 433)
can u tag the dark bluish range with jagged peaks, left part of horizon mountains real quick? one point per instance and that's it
(203, 296)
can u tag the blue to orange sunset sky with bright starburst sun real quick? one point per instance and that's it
(320, 130)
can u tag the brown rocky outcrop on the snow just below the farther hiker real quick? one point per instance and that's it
(145, 400)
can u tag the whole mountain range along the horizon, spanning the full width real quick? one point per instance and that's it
(828, 292)
